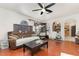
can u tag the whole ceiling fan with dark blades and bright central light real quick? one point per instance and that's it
(44, 8)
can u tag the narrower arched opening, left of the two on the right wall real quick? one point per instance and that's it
(56, 29)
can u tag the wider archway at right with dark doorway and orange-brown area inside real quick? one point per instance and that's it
(69, 28)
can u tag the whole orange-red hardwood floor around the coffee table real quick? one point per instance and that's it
(54, 49)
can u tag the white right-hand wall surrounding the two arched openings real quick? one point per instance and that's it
(62, 21)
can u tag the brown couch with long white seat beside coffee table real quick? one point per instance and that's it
(17, 39)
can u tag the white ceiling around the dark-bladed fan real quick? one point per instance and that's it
(59, 9)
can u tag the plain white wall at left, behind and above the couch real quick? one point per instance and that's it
(7, 19)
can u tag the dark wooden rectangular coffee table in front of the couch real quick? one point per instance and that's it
(34, 47)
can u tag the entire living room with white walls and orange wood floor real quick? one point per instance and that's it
(58, 29)
